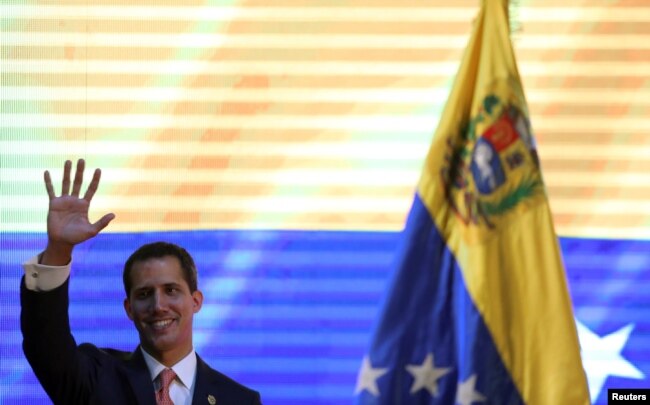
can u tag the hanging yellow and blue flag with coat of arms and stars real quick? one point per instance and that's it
(478, 311)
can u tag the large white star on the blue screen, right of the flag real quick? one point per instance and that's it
(601, 357)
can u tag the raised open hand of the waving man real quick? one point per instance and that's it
(67, 217)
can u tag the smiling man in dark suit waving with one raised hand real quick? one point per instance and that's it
(161, 300)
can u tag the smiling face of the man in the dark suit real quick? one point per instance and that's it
(161, 306)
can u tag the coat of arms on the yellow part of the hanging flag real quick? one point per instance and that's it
(493, 166)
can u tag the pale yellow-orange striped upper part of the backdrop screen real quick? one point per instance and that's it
(292, 95)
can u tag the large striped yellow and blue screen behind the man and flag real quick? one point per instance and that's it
(281, 143)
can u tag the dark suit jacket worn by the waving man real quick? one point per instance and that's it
(85, 374)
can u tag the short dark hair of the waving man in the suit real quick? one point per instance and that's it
(161, 249)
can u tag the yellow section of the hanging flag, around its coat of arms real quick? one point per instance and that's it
(510, 261)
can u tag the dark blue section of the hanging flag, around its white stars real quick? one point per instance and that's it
(429, 310)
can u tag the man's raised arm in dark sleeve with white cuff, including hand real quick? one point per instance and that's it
(66, 375)
